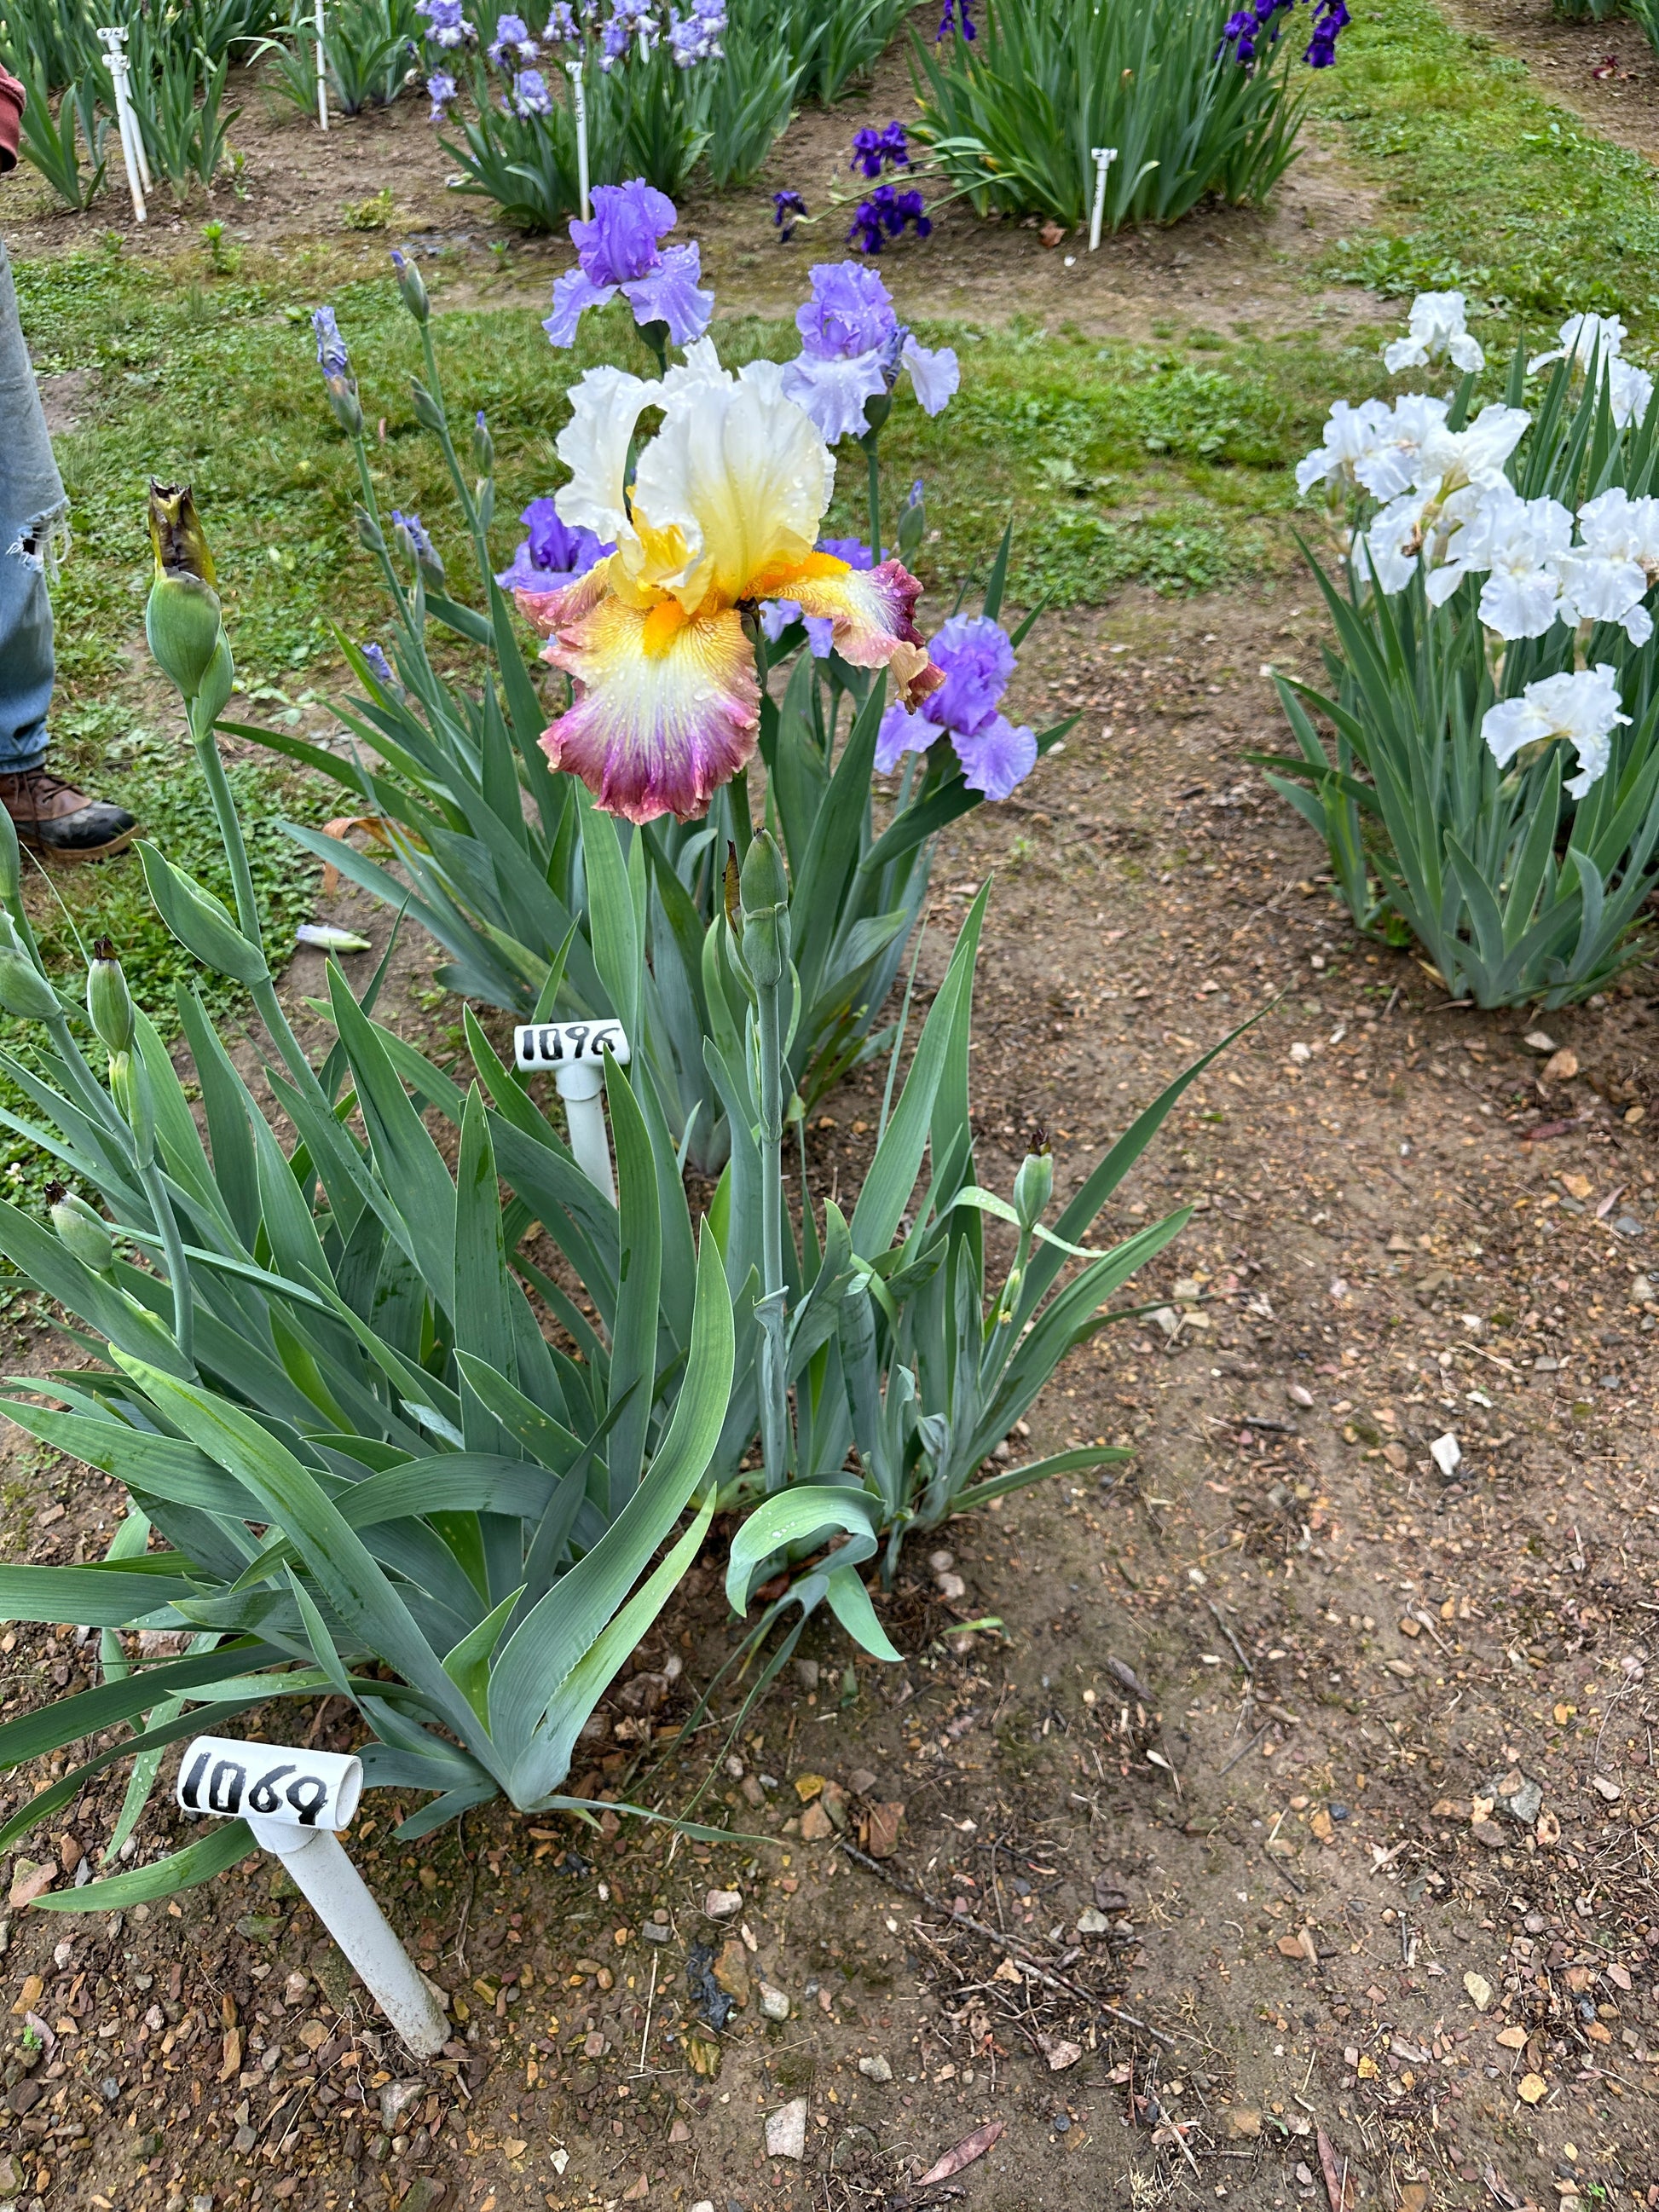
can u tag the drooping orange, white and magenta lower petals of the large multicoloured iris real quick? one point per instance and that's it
(669, 707)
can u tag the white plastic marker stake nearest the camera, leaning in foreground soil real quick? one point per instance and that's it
(293, 1802)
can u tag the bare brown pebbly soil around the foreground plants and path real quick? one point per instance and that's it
(1260, 1713)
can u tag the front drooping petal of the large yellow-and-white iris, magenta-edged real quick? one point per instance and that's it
(667, 709)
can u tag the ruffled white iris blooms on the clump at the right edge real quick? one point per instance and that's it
(1443, 505)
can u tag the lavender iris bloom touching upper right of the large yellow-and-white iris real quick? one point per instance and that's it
(853, 351)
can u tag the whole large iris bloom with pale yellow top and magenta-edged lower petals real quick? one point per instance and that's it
(722, 514)
